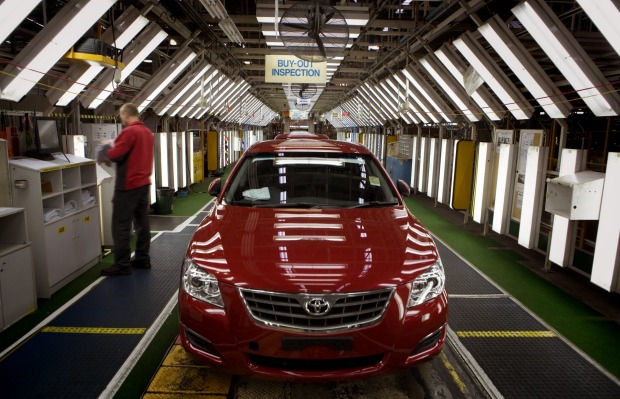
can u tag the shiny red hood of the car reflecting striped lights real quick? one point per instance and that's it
(312, 250)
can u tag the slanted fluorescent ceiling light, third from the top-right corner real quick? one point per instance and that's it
(525, 67)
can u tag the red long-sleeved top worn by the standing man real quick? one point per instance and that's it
(133, 154)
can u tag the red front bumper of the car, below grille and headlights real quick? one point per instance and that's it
(232, 341)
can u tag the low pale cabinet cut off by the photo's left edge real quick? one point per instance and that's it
(17, 287)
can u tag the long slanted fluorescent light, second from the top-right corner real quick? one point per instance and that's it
(568, 56)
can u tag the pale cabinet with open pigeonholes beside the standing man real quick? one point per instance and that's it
(69, 243)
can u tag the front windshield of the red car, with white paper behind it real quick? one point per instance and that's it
(310, 180)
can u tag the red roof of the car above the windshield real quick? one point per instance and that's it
(307, 144)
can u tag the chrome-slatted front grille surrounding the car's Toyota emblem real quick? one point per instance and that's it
(287, 311)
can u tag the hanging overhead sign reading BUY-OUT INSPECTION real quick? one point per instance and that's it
(290, 69)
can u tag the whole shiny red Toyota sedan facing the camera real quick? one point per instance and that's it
(310, 267)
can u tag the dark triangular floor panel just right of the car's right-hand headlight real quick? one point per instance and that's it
(461, 279)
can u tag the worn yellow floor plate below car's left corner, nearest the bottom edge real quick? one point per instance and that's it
(190, 380)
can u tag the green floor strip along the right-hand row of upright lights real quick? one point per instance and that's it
(587, 329)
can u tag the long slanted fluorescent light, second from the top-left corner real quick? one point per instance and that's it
(49, 45)
